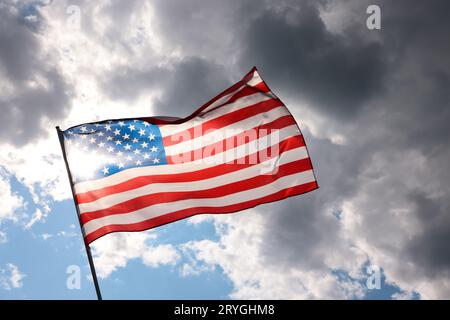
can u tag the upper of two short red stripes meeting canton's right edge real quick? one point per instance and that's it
(220, 122)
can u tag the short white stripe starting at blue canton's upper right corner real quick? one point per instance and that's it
(172, 129)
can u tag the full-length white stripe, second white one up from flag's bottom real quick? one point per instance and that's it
(238, 175)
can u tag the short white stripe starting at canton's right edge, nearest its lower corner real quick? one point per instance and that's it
(226, 132)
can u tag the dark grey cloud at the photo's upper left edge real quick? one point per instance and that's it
(35, 89)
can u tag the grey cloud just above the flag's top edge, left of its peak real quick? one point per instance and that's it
(186, 84)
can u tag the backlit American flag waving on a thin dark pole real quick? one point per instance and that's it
(239, 150)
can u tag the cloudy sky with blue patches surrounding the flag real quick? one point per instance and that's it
(373, 106)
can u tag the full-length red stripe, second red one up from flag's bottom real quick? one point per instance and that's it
(220, 191)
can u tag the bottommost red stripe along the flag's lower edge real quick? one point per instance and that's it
(186, 213)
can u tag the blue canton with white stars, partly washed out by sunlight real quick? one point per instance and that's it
(101, 149)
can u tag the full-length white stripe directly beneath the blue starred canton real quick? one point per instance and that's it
(231, 154)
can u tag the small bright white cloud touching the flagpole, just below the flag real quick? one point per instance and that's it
(113, 251)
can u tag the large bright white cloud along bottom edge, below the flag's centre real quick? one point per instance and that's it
(239, 252)
